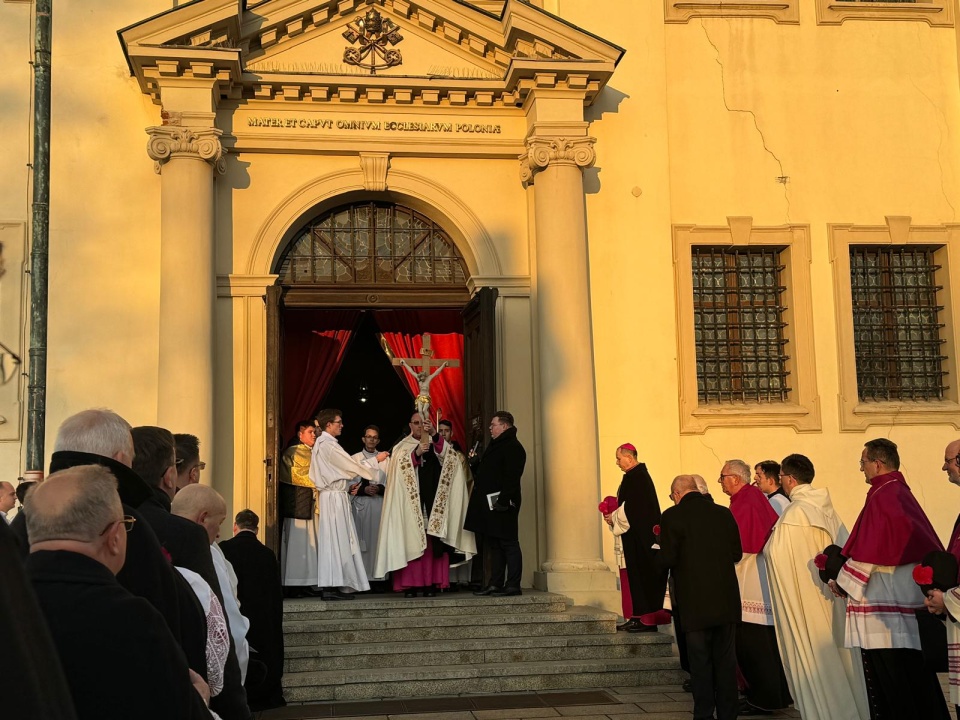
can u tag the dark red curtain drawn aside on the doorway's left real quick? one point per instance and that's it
(315, 342)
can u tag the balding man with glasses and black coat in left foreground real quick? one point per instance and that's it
(118, 655)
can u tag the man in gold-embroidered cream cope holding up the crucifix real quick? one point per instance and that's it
(406, 524)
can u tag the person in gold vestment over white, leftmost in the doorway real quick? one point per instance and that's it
(298, 556)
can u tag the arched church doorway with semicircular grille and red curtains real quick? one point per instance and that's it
(358, 285)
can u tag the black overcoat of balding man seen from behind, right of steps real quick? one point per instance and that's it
(700, 546)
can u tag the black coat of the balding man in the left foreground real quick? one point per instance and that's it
(118, 655)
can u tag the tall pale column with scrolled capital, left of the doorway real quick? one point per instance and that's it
(185, 158)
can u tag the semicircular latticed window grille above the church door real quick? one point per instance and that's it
(372, 243)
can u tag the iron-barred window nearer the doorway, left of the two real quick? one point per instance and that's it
(739, 328)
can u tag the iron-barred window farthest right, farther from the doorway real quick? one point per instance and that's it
(897, 333)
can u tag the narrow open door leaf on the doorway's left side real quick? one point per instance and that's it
(274, 444)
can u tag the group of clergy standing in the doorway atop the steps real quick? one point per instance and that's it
(422, 517)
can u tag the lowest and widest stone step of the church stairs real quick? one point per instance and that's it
(427, 681)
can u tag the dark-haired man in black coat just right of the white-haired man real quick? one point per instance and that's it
(186, 542)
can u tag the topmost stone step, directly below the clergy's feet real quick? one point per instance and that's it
(394, 606)
